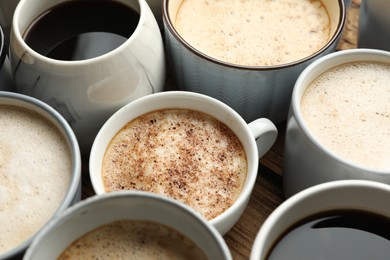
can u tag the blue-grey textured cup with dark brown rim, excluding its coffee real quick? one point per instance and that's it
(253, 91)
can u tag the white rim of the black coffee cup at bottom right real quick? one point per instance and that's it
(301, 196)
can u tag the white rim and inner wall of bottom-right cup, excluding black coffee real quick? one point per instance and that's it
(337, 195)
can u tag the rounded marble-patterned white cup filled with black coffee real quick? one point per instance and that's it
(86, 58)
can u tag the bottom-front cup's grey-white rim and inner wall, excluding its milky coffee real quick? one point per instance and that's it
(126, 205)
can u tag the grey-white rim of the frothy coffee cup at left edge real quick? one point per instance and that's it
(74, 150)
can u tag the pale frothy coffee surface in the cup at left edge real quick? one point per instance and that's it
(35, 167)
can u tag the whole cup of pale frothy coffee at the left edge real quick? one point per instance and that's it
(40, 168)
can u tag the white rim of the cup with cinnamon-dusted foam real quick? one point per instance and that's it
(252, 157)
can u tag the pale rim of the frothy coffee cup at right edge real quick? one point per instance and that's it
(339, 57)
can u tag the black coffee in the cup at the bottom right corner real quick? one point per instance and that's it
(349, 234)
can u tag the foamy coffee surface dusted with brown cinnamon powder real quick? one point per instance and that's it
(183, 154)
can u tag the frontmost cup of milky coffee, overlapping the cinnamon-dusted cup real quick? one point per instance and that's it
(129, 225)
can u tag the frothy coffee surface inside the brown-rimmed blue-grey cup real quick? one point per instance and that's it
(254, 32)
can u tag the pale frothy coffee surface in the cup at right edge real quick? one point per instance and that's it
(348, 109)
